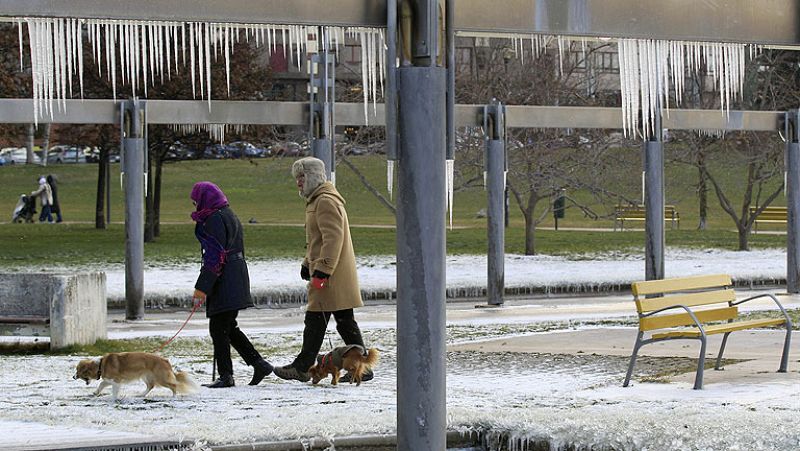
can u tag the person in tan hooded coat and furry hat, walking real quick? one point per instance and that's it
(329, 266)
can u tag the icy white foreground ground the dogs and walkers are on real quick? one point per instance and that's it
(563, 398)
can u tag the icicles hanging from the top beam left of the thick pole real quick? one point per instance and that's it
(144, 51)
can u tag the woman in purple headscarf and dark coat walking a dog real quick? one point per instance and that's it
(224, 283)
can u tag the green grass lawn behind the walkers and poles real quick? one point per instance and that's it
(264, 191)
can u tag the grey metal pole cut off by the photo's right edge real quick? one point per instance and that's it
(793, 201)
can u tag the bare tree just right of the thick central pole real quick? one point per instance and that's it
(540, 162)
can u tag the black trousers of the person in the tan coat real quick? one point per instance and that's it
(316, 323)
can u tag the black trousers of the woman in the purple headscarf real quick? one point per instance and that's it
(225, 333)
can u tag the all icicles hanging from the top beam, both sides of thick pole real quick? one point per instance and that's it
(139, 52)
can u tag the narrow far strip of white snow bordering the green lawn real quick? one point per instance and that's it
(466, 275)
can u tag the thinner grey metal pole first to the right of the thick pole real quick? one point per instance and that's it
(495, 186)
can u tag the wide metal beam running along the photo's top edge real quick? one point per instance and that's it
(769, 22)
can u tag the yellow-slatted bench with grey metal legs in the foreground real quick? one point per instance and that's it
(693, 308)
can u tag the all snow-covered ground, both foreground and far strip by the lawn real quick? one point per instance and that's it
(562, 398)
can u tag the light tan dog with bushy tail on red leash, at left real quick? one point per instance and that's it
(115, 369)
